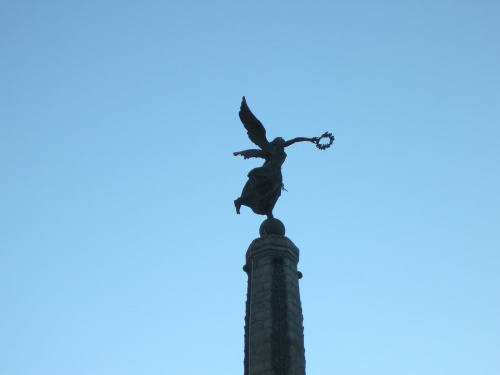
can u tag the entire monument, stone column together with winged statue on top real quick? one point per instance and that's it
(274, 333)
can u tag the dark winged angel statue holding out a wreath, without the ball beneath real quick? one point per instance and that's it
(264, 185)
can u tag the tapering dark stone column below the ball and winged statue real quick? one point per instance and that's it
(274, 334)
